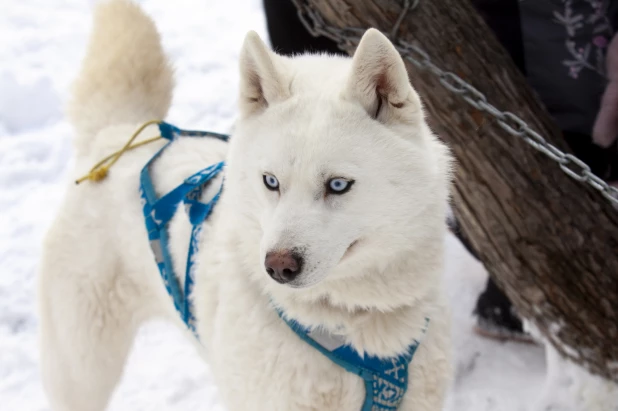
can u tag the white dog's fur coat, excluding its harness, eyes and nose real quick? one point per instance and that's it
(373, 256)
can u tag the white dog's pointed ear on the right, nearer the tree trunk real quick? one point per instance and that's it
(379, 81)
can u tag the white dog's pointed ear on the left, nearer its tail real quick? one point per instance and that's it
(261, 76)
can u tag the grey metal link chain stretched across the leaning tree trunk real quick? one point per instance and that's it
(348, 37)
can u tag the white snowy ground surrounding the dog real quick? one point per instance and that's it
(41, 43)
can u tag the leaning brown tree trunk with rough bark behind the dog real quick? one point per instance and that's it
(550, 242)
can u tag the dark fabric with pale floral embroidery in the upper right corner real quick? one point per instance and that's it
(565, 44)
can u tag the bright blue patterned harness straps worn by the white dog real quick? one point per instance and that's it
(386, 379)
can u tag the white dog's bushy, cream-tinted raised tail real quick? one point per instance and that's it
(125, 76)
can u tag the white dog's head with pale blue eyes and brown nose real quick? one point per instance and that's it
(332, 160)
